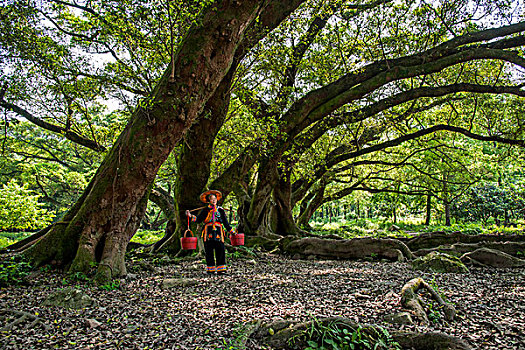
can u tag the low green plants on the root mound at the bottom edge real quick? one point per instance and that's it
(337, 335)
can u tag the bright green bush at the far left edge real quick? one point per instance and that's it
(20, 208)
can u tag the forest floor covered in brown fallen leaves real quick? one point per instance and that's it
(211, 312)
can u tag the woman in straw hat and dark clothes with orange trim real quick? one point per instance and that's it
(215, 228)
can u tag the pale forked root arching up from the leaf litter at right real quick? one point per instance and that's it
(411, 300)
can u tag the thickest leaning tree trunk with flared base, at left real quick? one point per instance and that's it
(99, 226)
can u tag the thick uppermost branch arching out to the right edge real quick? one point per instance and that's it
(319, 103)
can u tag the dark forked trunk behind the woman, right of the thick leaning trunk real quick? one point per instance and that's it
(196, 154)
